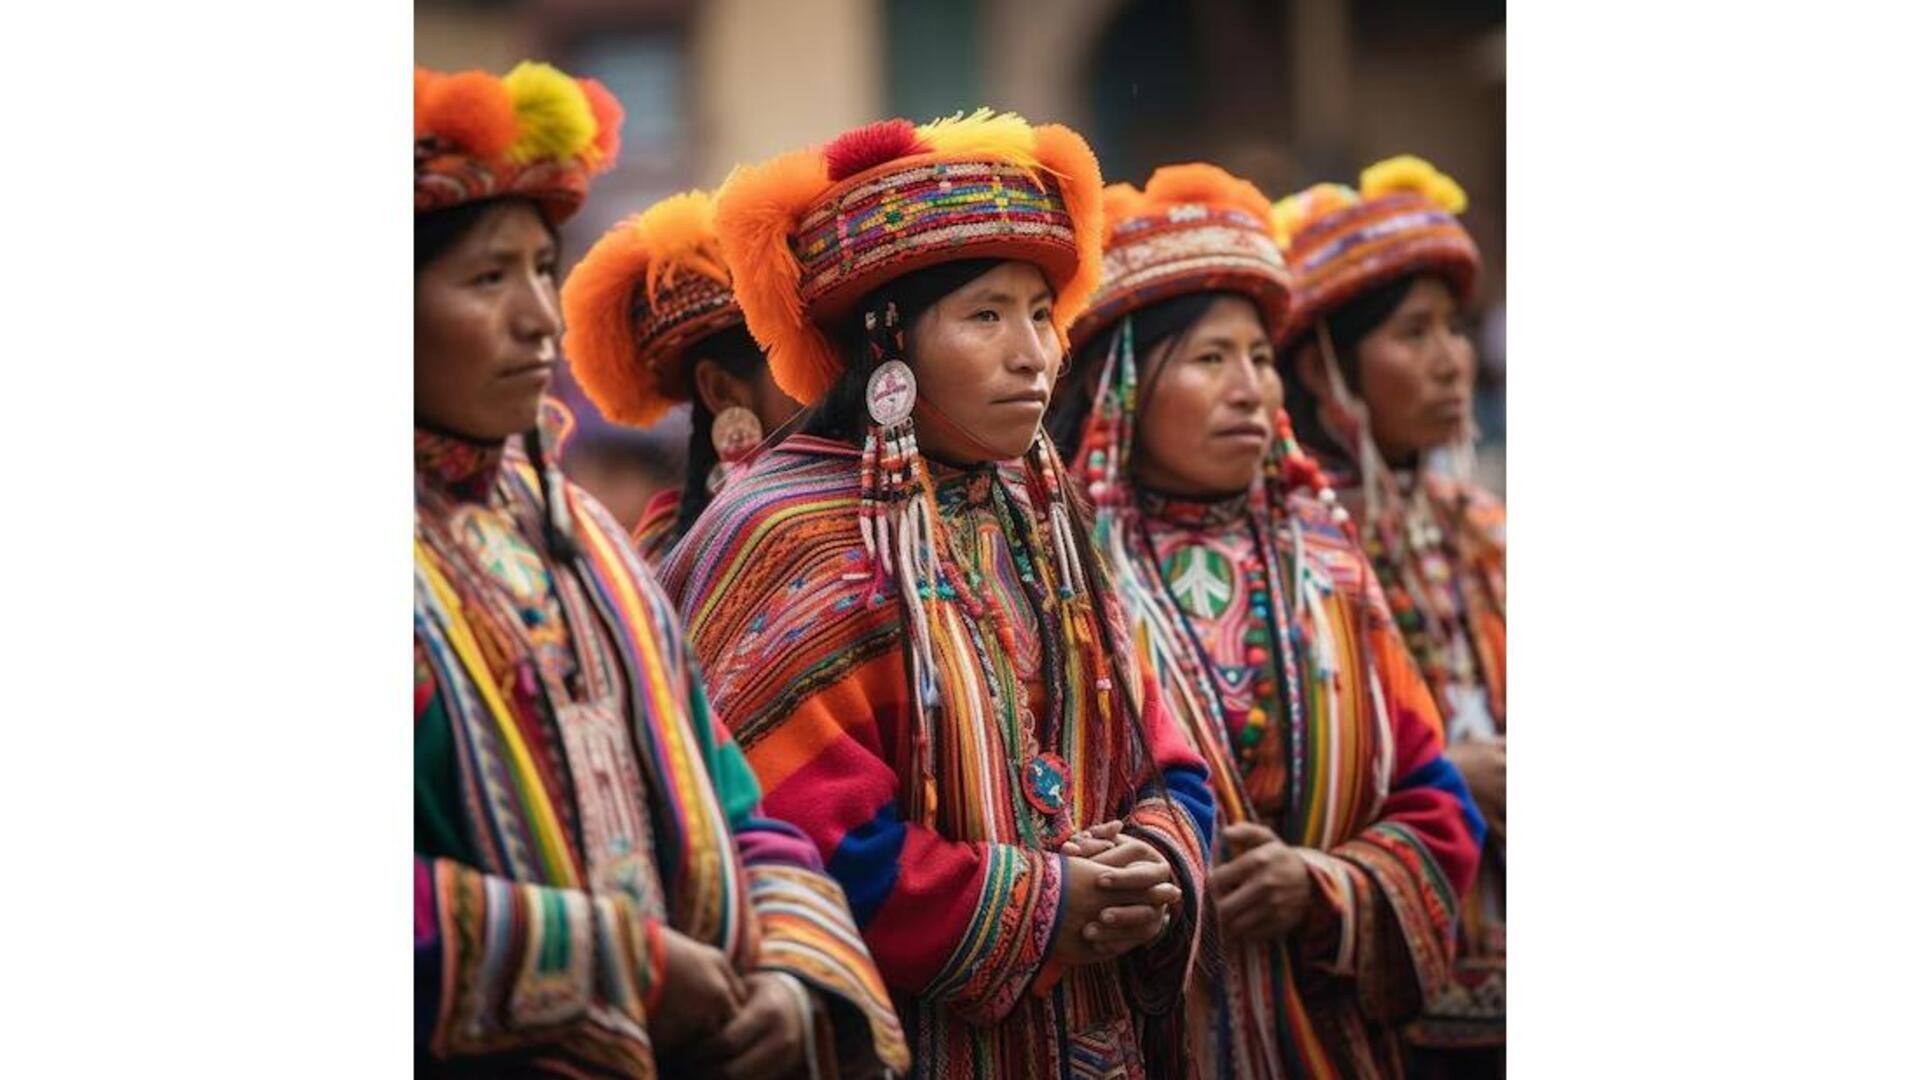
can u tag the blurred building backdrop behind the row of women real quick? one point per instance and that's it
(1282, 91)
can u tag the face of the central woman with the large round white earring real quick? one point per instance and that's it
(986, 358)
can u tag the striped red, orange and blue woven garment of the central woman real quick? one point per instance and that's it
(955, 877)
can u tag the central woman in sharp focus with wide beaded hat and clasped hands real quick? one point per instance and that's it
(905, 624)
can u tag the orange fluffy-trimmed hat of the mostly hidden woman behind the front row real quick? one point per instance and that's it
(642, 297)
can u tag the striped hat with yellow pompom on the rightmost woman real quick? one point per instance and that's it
(1343, 243)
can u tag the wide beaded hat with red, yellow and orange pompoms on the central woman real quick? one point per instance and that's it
(809, 233)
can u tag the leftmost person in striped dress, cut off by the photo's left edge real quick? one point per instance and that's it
(596, 891)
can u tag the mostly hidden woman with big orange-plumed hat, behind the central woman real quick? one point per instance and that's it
(652, 322)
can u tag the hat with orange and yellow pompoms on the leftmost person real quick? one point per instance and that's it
(535, 134)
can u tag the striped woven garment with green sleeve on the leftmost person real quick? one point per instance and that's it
(575, 798)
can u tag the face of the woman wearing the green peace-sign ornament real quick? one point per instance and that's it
(1209, 412)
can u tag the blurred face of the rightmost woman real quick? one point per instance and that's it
(1416, 374)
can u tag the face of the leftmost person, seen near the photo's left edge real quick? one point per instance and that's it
(487, 326)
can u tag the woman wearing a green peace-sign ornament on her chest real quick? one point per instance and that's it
(1345, 835)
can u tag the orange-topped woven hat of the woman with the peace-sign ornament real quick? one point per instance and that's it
(1193, 230)
